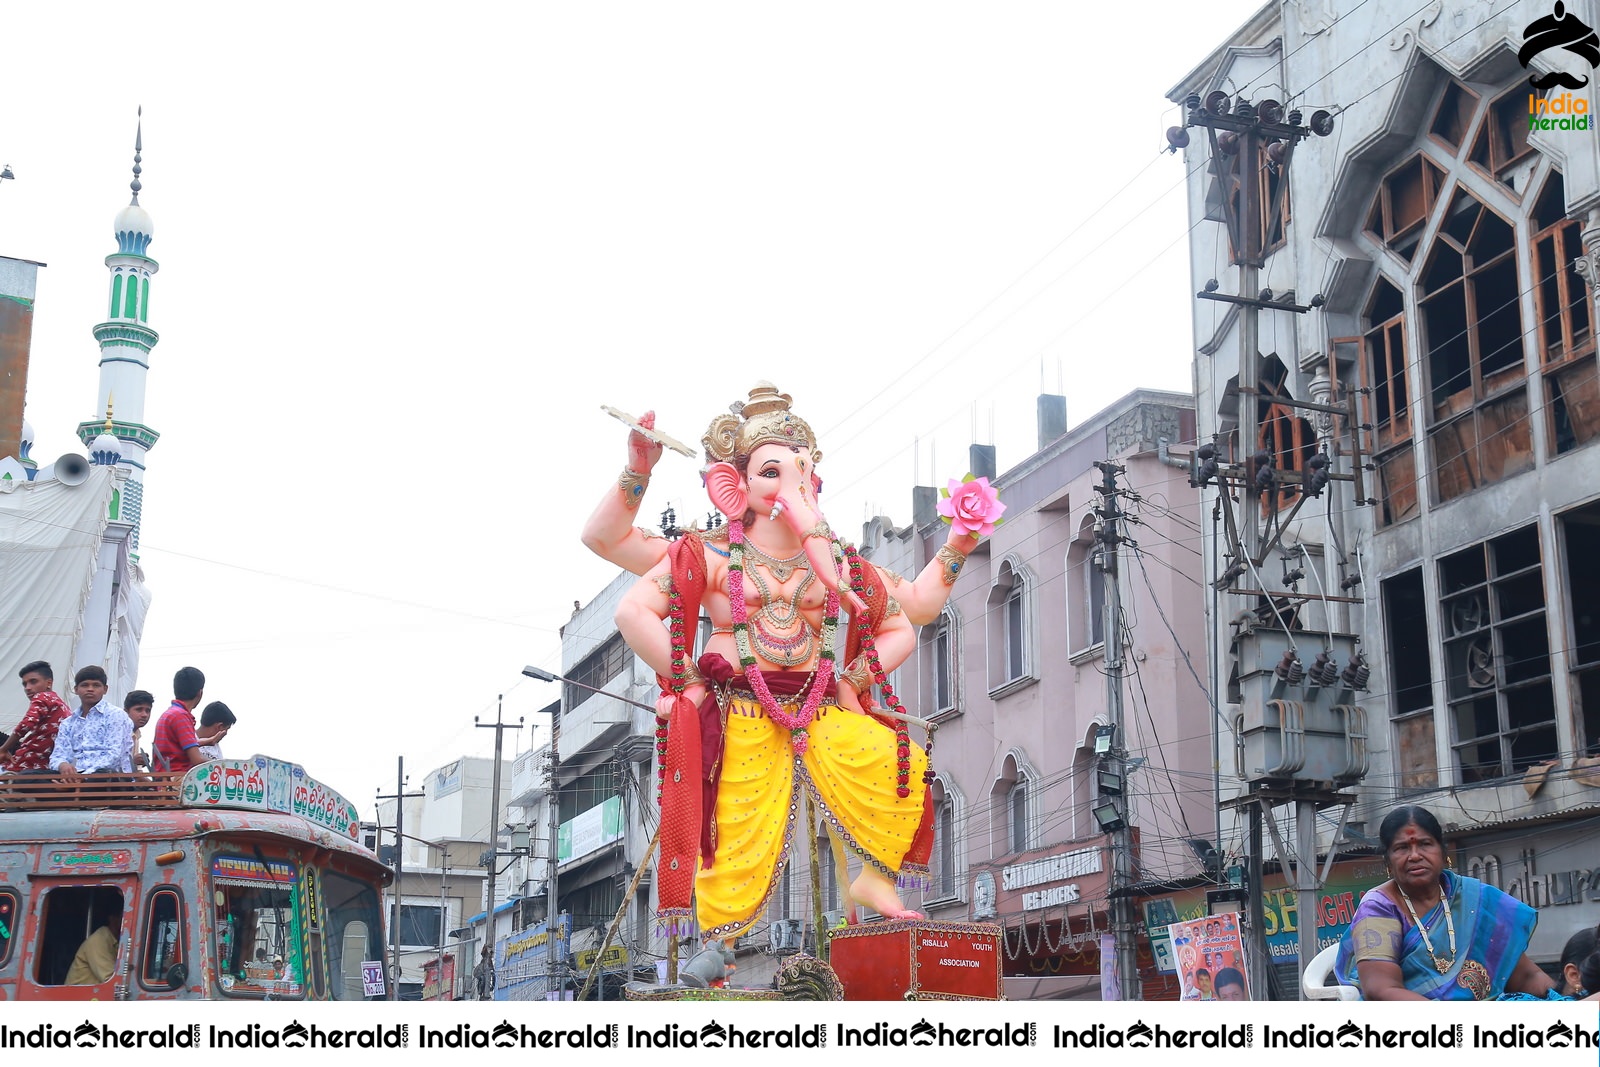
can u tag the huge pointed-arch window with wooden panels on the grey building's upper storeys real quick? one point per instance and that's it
(1447, 225)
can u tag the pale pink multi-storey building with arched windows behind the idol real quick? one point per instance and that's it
(1015, 676)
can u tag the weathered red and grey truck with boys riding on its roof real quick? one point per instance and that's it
(231, 881)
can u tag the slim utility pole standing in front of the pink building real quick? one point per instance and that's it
(1116, 785)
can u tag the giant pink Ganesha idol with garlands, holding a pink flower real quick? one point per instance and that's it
(769, 724)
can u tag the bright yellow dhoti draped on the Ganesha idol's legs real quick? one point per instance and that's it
(849, 770)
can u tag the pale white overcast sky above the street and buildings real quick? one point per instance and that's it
(409, 252)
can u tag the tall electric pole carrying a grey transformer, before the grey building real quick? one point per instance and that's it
(1252, 148)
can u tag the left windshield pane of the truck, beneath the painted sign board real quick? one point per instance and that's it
(258, 943)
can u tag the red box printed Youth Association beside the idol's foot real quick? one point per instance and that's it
(918, 961)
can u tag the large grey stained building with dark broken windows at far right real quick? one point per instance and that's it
(1446, 214)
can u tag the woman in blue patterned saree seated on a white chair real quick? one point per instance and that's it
(1433, 935)
